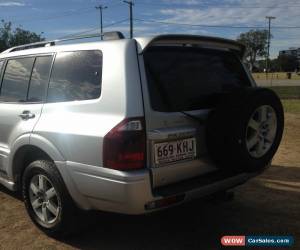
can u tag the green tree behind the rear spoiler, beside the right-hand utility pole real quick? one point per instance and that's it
(256, 45)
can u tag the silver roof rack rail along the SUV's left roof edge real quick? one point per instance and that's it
(113, 35)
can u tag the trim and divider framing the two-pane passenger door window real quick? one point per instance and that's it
(21, 57)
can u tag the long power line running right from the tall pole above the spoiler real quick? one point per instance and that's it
(215, 26)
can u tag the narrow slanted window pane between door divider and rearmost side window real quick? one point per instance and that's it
(39, 79)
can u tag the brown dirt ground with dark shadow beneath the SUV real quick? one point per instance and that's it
(266, 205)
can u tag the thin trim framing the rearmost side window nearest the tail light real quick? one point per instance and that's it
(51, 71)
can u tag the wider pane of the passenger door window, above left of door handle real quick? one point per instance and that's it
(16, 79)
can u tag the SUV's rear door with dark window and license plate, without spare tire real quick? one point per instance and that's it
(182, 82)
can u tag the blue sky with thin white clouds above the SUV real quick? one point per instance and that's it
(59, 18)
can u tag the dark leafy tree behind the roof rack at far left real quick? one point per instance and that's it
(10, 38)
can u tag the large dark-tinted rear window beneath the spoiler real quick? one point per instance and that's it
(186, 78)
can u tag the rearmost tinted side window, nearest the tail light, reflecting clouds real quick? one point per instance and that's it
(76, 76)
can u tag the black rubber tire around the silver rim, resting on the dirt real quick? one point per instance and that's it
(64, 224)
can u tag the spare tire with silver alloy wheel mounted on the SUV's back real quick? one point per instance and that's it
(245, 129)
